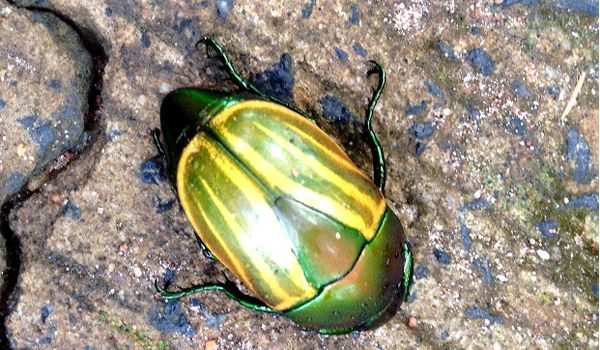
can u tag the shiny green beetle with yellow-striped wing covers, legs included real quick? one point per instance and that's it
(277, 201)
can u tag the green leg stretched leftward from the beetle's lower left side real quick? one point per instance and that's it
(230, 289)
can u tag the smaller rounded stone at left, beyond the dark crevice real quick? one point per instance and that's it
(44, 78)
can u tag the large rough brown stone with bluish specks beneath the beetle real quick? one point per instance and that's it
(505, 237)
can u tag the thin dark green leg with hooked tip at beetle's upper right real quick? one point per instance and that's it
(376, 149)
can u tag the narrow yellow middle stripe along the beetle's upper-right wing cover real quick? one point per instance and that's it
(334, 180)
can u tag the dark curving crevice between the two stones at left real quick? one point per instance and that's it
(9, 291)
